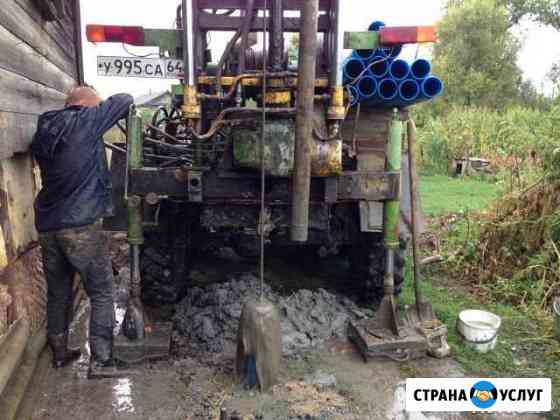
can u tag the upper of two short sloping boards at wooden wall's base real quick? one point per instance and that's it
(12, 351)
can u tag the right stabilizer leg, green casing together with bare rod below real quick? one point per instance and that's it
(391, 208)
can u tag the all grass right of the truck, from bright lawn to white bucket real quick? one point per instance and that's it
(525, 345)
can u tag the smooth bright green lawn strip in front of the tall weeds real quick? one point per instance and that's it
(441, 194)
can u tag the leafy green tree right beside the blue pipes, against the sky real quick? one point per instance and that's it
(476, 55)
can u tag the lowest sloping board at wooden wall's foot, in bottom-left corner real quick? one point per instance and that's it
(12, 397)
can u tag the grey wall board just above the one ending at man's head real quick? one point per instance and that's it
(20, 58)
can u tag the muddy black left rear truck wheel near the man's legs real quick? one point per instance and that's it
(160, 281)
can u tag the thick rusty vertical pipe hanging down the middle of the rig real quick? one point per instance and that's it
(304, 120)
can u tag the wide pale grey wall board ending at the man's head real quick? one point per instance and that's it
(25, 96)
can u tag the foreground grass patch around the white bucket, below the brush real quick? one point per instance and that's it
(525, 345)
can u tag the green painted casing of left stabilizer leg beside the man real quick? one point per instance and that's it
(135, 161)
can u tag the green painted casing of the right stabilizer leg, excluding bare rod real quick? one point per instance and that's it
(391, 208)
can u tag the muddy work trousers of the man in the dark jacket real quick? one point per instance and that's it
(83, 250)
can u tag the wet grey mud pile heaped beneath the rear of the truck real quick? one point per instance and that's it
(207, 319)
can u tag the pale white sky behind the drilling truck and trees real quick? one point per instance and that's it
(541, 46)
